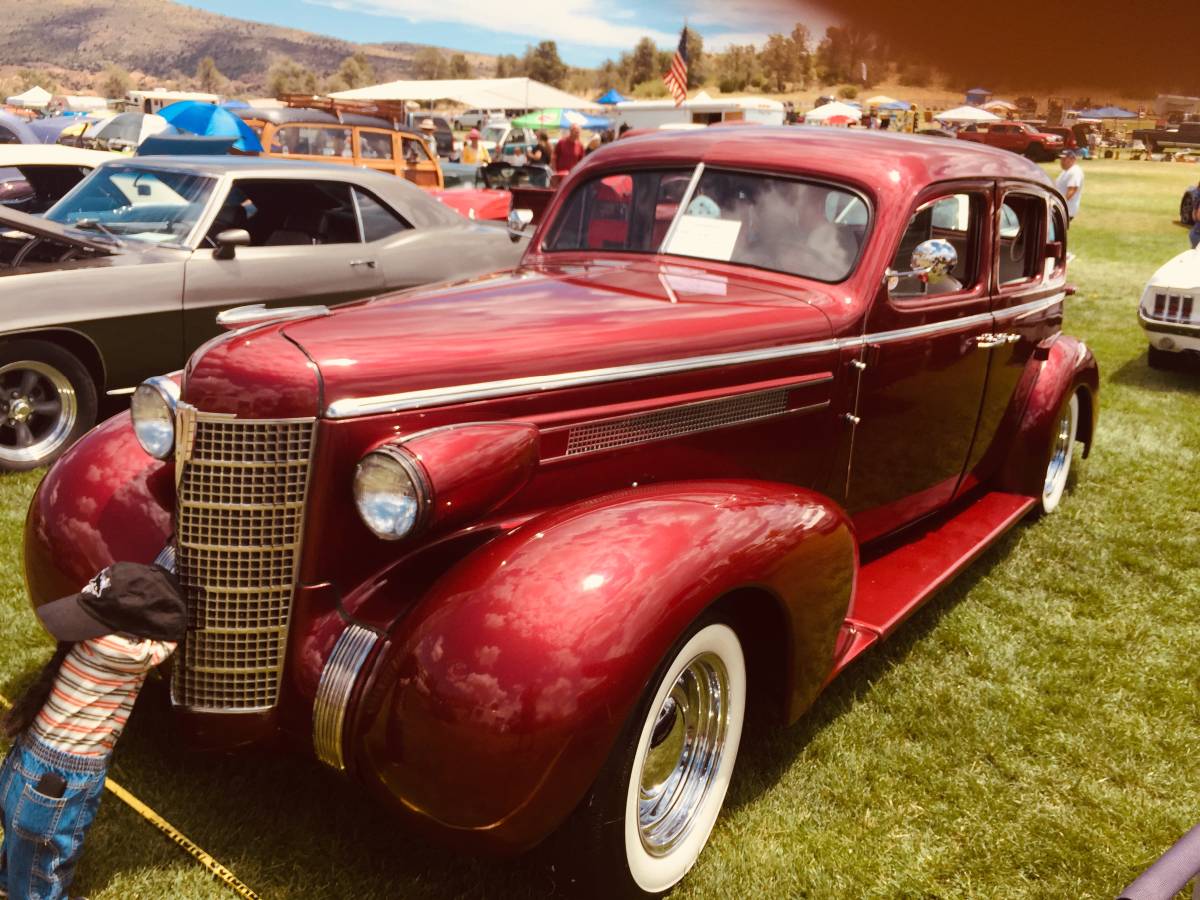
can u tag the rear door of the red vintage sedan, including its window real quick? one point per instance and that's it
(1028, 292)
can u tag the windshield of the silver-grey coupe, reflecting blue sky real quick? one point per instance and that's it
(143, 205)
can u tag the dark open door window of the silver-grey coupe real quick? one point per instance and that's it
(287, 213)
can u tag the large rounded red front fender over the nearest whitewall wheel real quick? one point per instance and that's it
(500, 697)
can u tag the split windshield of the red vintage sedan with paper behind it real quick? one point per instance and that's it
(784, 225)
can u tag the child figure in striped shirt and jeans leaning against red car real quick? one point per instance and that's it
(123, 625)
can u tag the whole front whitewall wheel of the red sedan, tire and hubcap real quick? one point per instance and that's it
(652, 809)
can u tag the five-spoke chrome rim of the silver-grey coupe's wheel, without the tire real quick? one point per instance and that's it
(38, 411)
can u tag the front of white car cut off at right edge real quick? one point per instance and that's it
(1171, 309)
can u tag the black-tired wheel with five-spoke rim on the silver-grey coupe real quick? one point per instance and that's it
(47, 403)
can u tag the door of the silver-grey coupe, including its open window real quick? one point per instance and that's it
(307, 248)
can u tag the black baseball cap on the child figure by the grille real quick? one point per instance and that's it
(125, 598)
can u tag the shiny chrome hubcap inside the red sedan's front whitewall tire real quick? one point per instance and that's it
(685, 755)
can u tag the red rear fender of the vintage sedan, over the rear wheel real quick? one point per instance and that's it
(1069, 367)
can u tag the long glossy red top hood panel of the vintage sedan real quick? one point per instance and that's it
(549, 321)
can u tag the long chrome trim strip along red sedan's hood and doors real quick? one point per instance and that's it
(405, 401)
